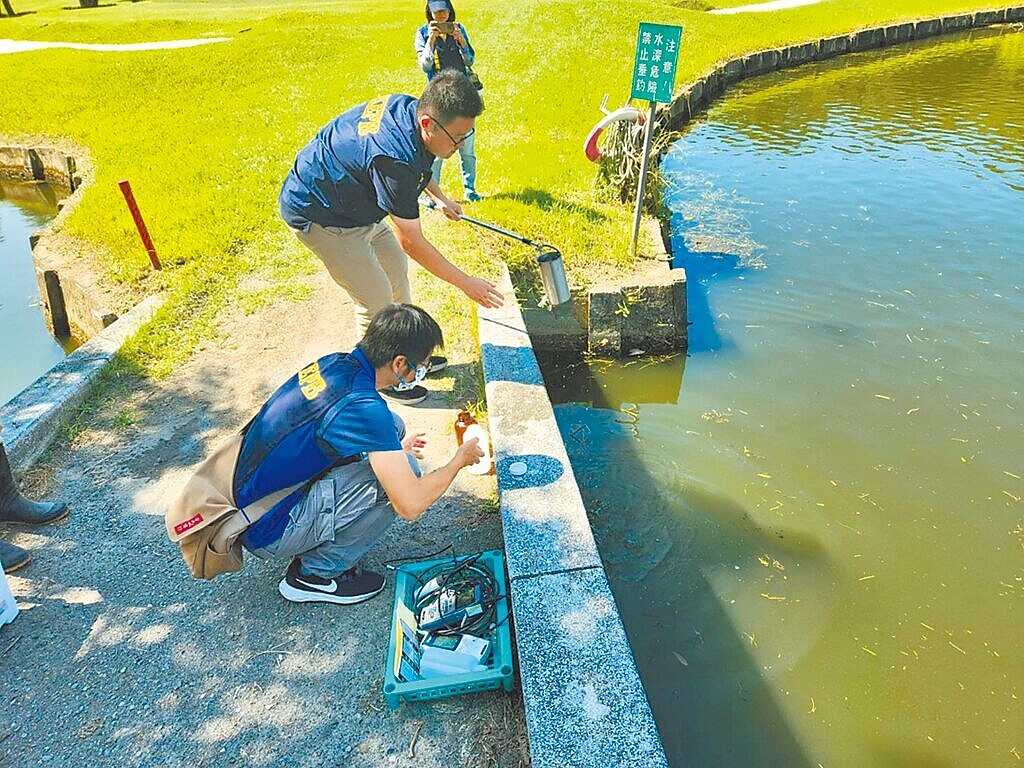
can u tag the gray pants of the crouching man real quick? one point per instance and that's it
(340, 519)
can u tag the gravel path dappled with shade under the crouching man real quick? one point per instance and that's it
(119, 658)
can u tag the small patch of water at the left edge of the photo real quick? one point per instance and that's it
(27, 349)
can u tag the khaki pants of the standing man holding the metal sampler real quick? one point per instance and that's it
(367, 262)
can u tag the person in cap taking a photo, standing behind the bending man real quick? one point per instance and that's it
(443, 45)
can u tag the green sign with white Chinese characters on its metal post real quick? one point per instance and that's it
(654, 81)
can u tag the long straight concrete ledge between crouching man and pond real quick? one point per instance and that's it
(584, 700)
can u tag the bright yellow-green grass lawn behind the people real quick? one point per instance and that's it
(207, 135)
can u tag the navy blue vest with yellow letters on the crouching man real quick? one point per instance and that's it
(281, 448)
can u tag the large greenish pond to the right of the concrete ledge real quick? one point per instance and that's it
(816, 533)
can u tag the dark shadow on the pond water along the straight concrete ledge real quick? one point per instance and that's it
(663, 545)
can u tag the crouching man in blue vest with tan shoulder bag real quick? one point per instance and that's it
(322, 472)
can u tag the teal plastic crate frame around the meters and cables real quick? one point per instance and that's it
(500, 666)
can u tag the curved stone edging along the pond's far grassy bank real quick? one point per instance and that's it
(699, 96)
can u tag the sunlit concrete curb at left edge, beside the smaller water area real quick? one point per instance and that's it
(33, 416)
